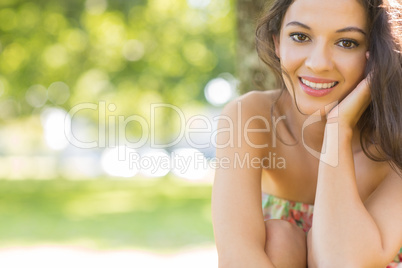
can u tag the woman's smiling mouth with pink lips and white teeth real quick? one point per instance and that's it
(317, 87)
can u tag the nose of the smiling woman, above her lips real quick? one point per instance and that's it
(320, 59)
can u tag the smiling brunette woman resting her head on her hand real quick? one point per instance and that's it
(335, 127)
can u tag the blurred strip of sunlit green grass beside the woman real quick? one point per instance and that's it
(159, 215)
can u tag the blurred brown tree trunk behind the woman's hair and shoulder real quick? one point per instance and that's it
(251, 71)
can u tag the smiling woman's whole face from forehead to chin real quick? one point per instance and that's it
(322, 46)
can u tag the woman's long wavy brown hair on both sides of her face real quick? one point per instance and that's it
(381, 123)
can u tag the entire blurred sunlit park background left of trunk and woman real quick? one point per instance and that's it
(107, 117)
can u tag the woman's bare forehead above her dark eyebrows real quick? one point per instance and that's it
(327, 13)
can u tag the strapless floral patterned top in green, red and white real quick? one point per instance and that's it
(300, 214)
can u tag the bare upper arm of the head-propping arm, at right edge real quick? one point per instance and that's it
(385, 206)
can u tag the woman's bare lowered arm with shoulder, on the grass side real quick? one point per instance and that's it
(236, 197)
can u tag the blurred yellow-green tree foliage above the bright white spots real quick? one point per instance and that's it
(128, 52)
